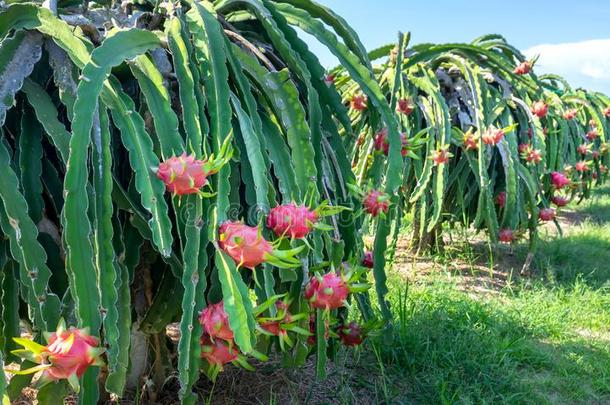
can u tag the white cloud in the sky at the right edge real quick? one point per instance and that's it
(584, 64)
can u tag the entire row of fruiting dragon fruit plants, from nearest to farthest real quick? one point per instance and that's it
(198, 165)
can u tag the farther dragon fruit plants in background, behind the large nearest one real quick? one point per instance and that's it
(476, 106)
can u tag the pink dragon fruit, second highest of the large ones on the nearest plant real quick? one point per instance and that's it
(292, 220)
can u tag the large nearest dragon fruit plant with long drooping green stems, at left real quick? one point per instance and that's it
(110, 137)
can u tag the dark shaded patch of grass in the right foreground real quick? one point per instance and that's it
(451, 349)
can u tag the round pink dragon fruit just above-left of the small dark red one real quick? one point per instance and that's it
(327, 292)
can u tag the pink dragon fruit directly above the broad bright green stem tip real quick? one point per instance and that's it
(244, 244)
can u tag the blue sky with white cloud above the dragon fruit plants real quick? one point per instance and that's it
(572, 37)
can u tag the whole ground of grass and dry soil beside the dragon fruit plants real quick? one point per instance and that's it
(471, 332)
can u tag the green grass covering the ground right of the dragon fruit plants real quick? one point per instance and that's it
(544, 340)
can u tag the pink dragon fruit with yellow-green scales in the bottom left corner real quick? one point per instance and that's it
(68, 354)
